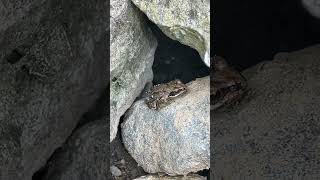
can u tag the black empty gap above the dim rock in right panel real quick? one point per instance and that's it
(248, 32)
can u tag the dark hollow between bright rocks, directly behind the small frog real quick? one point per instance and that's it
(173, 60)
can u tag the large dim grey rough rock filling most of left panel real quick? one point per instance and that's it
(52, 69)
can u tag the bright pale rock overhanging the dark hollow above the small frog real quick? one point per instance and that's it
(186, 21)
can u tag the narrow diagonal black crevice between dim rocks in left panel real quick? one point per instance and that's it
(96, 112)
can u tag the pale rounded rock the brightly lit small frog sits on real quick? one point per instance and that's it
(174, 140)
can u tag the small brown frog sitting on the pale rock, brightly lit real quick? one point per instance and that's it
(161, 95)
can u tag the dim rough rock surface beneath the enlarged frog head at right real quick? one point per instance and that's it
(274, 132)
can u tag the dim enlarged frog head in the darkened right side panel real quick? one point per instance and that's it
(227, 85)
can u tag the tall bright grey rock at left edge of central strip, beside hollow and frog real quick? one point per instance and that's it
(133, 47)
